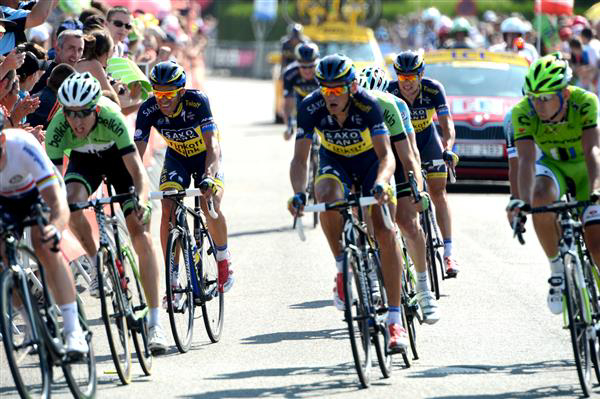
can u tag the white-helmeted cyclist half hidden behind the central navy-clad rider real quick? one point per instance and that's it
(402, 135)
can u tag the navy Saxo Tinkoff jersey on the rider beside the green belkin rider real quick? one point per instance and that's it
(182, 131)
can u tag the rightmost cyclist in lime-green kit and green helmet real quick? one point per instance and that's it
(563, 121)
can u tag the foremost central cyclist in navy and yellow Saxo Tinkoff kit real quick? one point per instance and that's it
(355, 150)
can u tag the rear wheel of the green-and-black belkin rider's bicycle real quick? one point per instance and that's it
(137, 299)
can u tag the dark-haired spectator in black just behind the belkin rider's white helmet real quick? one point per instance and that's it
(49, 104)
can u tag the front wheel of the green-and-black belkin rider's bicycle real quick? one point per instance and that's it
(113, 315)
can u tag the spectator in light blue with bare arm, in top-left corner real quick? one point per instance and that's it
(24, 19)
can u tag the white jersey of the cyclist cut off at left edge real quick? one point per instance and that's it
(27, 167)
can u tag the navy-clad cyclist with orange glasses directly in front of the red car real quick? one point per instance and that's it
(425, 97)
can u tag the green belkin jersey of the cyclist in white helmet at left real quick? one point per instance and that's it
(109, 131)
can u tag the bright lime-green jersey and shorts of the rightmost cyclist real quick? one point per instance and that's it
(560, 143)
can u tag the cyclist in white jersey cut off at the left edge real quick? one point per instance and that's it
(27, 176)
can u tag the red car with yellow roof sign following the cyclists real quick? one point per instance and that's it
(481, 87)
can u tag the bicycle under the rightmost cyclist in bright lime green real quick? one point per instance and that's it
(582, 282)
